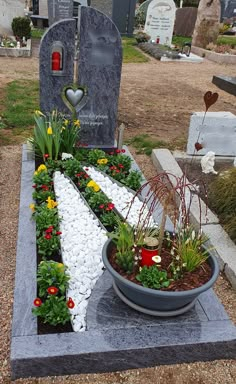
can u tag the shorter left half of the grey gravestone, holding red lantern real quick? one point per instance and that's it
(59, 38)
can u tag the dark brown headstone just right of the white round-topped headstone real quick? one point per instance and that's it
(185, 19)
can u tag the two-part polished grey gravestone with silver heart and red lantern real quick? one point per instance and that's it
(93, 96)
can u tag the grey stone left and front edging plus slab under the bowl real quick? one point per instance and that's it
(117, 338)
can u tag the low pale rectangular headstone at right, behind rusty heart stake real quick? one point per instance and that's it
(217, 133)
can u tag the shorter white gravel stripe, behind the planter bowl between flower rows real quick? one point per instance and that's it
(120, 196)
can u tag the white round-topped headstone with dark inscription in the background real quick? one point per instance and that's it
(160, 21)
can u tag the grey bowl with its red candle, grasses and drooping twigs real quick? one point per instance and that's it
(156, 271)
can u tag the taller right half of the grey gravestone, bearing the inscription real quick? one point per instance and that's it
(99, 70)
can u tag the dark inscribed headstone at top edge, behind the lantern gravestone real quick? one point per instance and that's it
(59, 10)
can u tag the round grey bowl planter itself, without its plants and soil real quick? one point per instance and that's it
(152, 301)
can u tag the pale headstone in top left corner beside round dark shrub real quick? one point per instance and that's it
(8, 10)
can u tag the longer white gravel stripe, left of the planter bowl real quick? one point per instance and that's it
(82, 240)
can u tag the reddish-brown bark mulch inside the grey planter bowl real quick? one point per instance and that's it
(189, 280)
